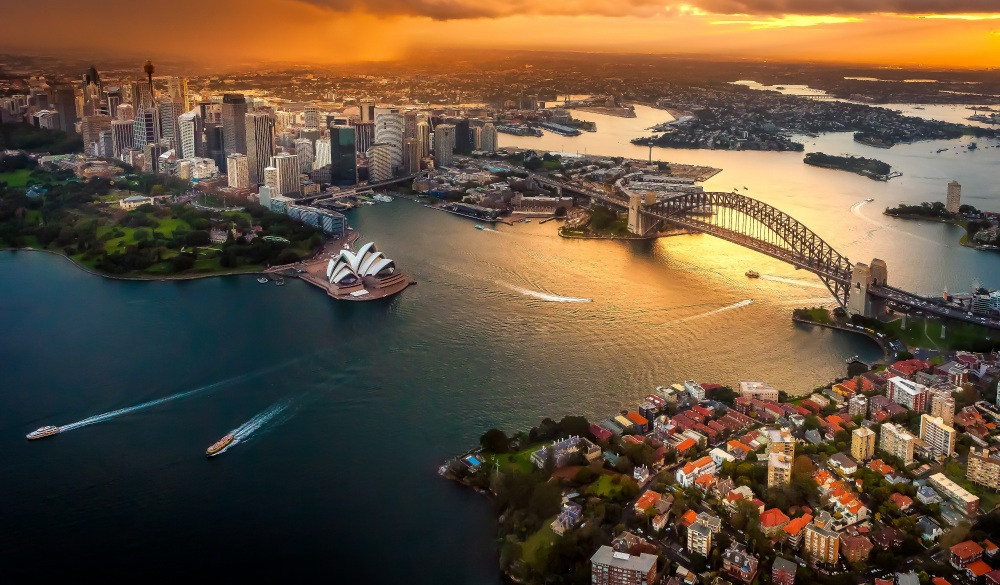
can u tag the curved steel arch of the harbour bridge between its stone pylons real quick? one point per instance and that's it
(756, 225)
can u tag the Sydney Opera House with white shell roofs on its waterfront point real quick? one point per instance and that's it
(364, 275)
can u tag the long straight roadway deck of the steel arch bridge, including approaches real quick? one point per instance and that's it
(894, 295)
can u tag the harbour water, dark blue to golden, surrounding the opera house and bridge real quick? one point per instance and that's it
(498, 332)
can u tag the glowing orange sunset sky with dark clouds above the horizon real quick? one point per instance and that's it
(911, 33)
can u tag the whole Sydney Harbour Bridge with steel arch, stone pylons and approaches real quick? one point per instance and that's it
(859, 288)
